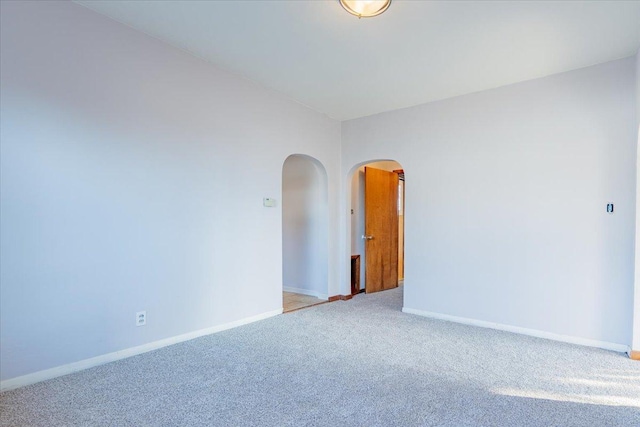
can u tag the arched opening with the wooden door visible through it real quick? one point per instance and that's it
(377, 225)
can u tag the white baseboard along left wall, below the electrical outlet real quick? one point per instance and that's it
(71, 368)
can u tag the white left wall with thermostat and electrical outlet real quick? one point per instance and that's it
(132, 178)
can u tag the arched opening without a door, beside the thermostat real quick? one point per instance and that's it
(305, 233)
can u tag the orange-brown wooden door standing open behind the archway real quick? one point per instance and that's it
(381, 229)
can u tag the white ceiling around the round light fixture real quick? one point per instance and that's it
(418, 51)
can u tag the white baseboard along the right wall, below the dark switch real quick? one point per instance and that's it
(621, 348)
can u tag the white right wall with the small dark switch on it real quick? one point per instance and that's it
(507, 201)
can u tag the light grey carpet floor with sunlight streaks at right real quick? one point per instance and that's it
(349, 363)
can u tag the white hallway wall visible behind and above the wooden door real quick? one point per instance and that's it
(358, 216)
